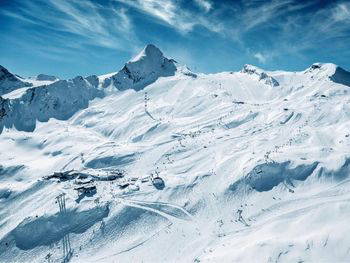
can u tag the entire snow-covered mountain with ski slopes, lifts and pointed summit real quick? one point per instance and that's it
(159, 164)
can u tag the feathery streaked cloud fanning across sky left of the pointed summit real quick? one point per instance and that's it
(95, 24)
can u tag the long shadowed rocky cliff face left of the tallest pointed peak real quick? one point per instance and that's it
(58, 100)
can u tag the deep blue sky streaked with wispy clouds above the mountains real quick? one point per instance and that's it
(83, 37)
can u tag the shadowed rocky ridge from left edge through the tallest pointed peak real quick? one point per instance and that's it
(62, 98)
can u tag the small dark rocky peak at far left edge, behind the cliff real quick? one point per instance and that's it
(10, 82)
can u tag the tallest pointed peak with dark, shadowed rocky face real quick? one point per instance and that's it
(142, 70)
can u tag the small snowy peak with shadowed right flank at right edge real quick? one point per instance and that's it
(329, 71)
